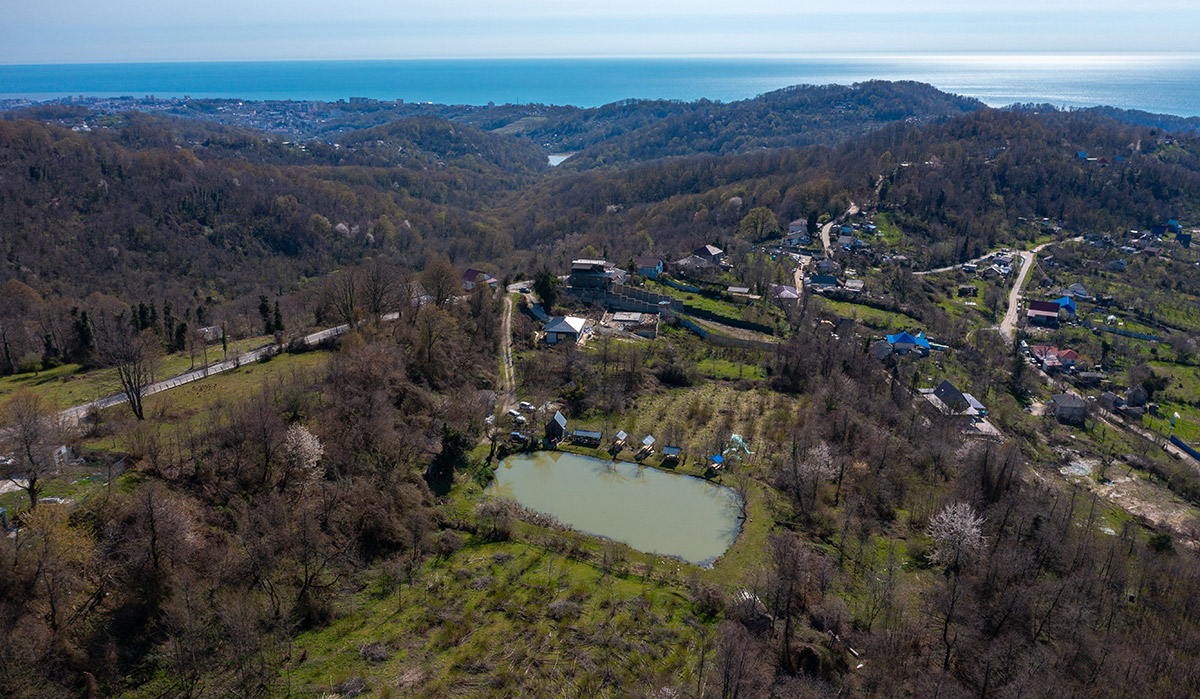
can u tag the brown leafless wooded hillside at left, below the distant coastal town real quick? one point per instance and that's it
(140, 210)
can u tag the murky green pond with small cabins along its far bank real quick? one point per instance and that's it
(650, 510)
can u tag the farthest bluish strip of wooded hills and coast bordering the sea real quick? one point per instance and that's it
(611, 136)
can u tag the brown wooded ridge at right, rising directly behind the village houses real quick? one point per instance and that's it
(961, 188)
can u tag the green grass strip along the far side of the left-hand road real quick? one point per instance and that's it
(71, 385)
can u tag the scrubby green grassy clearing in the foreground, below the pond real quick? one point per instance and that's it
(568, 629)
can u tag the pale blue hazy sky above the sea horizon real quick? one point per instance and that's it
(53, 32)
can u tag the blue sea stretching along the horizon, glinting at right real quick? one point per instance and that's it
(1161, 83)
